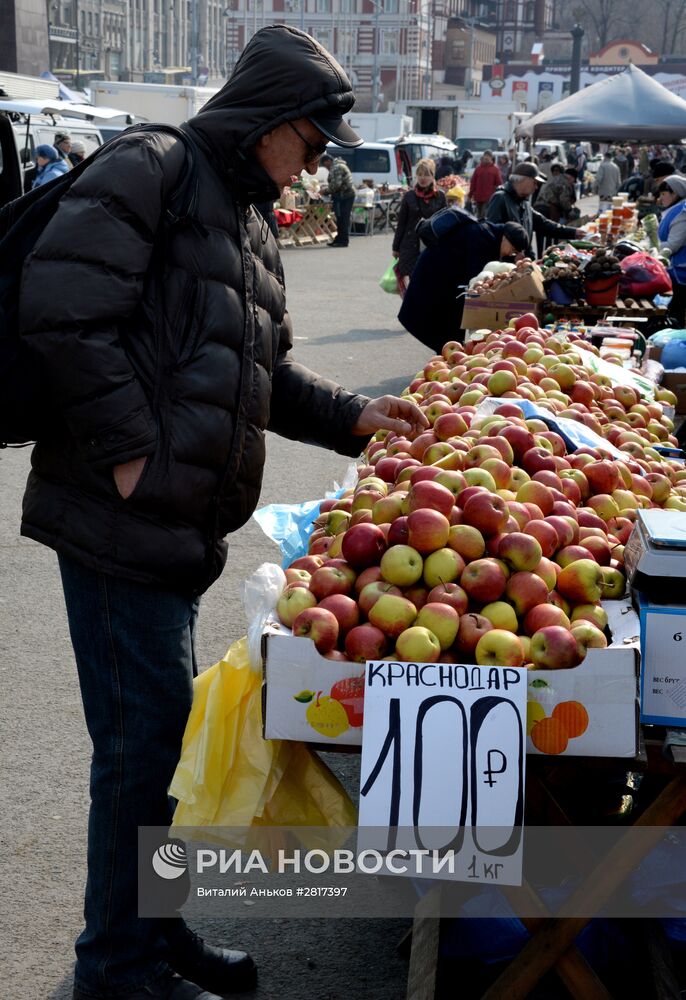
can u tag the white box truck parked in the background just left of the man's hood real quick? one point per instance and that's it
(155, 102)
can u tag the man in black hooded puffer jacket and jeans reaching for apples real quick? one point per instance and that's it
(168, 354)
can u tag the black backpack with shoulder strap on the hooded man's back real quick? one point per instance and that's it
(24, 392)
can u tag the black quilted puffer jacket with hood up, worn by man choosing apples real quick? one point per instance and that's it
(175, 343)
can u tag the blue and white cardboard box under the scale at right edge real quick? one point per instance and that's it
(663, 662)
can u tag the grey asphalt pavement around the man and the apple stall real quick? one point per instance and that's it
(345, 328)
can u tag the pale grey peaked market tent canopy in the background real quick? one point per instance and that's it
(628, 106)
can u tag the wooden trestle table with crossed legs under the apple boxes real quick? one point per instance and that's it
(551, 944)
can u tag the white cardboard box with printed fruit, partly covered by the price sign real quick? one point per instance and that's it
(606, 684)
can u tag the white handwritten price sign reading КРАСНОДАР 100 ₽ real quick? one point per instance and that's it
(443, 765)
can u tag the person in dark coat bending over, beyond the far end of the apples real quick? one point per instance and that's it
(460, 248)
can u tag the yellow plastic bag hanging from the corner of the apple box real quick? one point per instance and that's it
(229, 776)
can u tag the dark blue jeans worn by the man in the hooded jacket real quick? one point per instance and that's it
(135, 658)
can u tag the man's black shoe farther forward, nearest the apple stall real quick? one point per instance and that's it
(219, 970)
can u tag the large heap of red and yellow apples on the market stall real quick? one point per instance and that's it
(482, 540)
